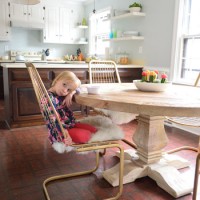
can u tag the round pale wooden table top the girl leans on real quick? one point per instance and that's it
(178, 100)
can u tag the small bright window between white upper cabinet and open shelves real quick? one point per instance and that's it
(99, 29)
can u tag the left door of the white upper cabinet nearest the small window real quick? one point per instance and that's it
(51, 30)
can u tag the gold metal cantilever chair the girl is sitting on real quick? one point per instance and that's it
(50, 114)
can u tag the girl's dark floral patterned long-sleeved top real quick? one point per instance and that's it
(66, 117)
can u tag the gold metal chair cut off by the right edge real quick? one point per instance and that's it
(190, 122)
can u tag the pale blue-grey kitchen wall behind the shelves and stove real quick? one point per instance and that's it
(156, 27)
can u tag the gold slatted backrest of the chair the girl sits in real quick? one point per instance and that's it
(47, 108)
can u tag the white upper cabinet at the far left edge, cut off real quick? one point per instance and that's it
(4, 21)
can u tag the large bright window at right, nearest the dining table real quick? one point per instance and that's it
(188, 64)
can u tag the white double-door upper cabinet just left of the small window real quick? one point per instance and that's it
(61, 24)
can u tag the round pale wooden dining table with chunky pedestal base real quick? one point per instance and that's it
(149, 159)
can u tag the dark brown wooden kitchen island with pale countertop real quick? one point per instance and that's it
(21, 106)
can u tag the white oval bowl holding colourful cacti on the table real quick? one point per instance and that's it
(151, 87)
